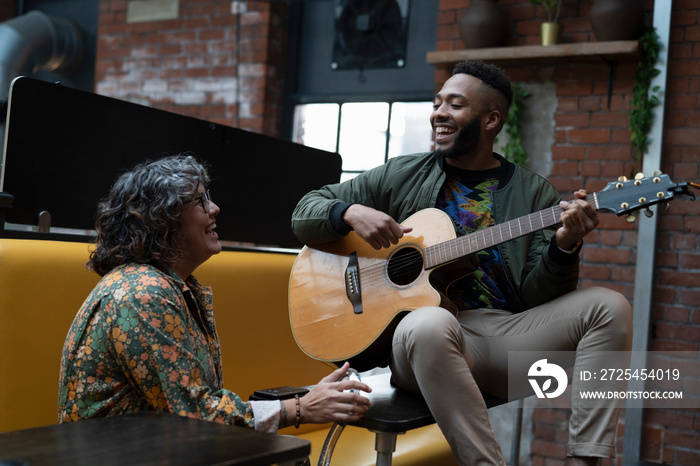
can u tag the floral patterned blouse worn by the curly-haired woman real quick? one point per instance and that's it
(144, 340)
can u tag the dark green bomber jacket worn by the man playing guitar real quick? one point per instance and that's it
(536, 269)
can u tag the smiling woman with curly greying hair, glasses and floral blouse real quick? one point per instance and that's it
(145, 339)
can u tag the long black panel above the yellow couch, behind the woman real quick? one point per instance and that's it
(65, 148)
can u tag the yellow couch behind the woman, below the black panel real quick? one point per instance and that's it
(43, 283)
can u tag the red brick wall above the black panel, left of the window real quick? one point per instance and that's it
(220, 60)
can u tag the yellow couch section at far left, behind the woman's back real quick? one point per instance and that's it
(42, 285)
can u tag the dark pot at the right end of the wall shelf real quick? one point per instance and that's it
(616, 19)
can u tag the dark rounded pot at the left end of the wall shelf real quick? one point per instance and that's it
(483, 24)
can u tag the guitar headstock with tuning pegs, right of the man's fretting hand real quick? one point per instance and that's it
(627, 196)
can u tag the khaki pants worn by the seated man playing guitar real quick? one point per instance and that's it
(451, 360)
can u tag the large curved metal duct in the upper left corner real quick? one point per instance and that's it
(35, 42)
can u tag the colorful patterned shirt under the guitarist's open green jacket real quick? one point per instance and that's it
(467, 197)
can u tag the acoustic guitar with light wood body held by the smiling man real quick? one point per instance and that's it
(346, 298)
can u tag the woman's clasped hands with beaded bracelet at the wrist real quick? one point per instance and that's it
(329, 401)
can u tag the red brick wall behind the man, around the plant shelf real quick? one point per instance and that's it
(592, 148)
